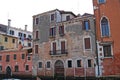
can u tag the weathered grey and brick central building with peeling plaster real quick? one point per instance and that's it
(64, 44)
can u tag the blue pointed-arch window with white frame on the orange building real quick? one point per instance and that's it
(105, 27)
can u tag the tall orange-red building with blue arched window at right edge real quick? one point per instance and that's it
(107, 14)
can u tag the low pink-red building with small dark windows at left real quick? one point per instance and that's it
(16, 62)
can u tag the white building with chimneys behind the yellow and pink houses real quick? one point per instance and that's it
(24, 36)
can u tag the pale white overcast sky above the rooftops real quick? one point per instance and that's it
(21, 11)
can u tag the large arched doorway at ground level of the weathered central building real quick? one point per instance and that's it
(59, 68)
